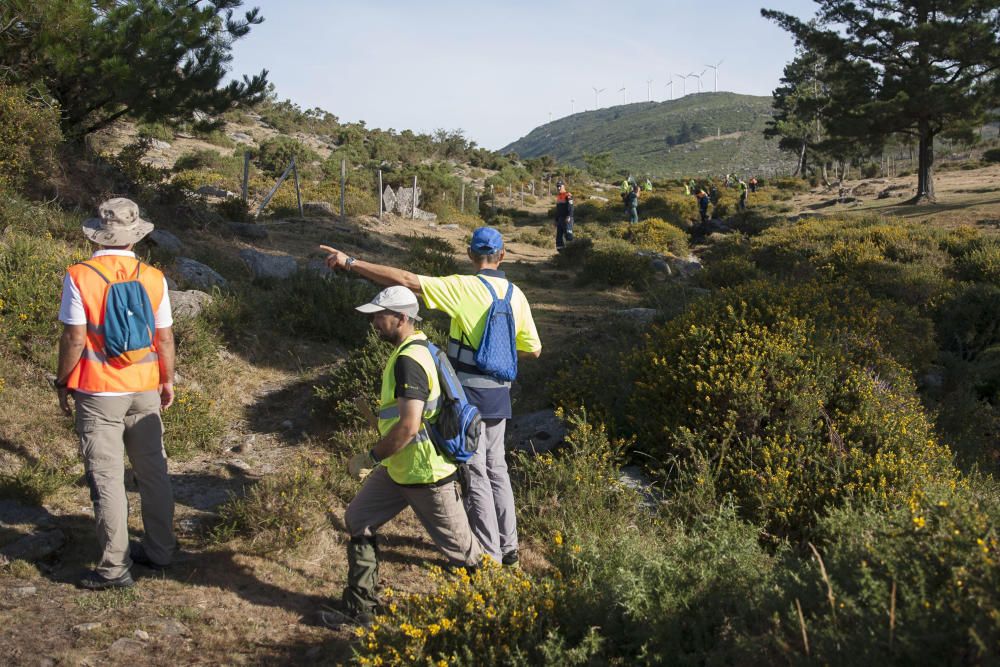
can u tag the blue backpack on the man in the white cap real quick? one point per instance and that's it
(455, 430)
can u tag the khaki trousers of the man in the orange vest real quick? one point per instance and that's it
(109, 427)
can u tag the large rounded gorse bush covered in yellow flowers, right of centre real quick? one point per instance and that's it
(783, 418)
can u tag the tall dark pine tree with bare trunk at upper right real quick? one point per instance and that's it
(911, 67)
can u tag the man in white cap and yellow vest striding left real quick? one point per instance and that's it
(407, 469)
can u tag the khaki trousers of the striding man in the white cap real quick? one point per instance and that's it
(439, 509)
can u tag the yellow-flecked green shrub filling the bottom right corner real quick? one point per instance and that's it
(917, 584)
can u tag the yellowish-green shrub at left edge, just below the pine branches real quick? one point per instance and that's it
(29, 136)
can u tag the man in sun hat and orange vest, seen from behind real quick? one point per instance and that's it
(116, 361)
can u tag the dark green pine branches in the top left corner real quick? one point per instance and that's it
(147, 59)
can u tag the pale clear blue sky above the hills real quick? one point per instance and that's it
(496, 71)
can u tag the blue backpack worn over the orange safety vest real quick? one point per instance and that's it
(128, 318)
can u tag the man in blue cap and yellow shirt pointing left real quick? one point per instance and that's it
(489, 500)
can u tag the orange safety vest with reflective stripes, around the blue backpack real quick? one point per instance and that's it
(93, 373)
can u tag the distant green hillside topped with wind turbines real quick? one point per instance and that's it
(636, 136)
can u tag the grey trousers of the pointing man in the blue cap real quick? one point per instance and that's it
(490, 500)
